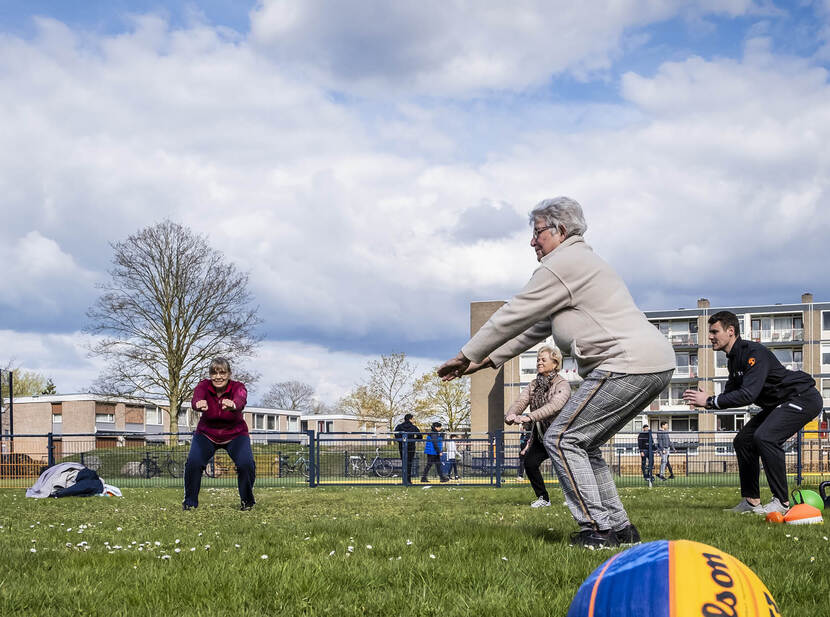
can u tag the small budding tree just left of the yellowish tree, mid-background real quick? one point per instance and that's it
(387, 392)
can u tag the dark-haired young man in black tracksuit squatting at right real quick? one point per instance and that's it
(788, 400)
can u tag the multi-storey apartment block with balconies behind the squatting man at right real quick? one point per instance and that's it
(798, 334)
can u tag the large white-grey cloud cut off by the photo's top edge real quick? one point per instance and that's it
(445, 48)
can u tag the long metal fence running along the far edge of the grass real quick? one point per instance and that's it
(316, 459)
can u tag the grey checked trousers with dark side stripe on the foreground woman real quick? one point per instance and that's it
(604, 403)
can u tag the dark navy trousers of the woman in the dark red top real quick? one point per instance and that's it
(202, 450)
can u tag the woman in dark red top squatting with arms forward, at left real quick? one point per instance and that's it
(221, 402)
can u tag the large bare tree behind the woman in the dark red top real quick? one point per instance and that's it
(171, 305)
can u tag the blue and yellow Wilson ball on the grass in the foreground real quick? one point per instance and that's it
(673, 578)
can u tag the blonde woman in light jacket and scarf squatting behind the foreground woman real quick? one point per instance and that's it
(545, 396)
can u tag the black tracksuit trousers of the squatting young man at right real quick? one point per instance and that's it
(764, 435)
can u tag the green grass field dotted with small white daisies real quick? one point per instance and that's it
(493, 555)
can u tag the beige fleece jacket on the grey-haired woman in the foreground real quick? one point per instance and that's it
(578, 298)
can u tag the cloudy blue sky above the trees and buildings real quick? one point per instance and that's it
(372, 164)
